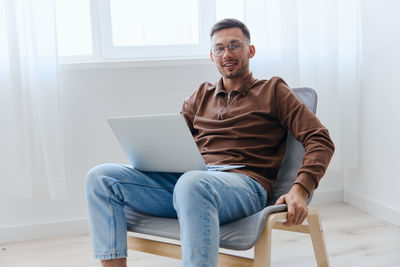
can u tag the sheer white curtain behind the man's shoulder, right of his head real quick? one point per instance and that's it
(314, 43)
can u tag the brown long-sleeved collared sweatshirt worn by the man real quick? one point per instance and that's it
(249, 125)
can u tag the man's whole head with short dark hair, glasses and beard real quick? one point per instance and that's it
(231, 49)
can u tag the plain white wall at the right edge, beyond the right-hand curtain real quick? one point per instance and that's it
(375, 185)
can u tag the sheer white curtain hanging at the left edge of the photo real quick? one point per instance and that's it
(31, 133)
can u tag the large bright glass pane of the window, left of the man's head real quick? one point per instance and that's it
(148, 26)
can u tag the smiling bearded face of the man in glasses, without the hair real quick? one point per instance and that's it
(232, 64)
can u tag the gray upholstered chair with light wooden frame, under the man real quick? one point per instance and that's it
(253, 231)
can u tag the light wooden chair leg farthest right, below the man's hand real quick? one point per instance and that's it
(317, 238)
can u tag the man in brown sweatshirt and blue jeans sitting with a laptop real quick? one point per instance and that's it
(239, 120)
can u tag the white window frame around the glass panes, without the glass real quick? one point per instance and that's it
(104, 50)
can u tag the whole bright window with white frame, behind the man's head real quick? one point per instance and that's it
(137, 29)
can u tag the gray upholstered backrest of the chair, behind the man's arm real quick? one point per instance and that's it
(294, 151)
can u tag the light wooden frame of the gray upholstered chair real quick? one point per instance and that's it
(262, 249)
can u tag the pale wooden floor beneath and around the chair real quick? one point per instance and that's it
(354, 238)
